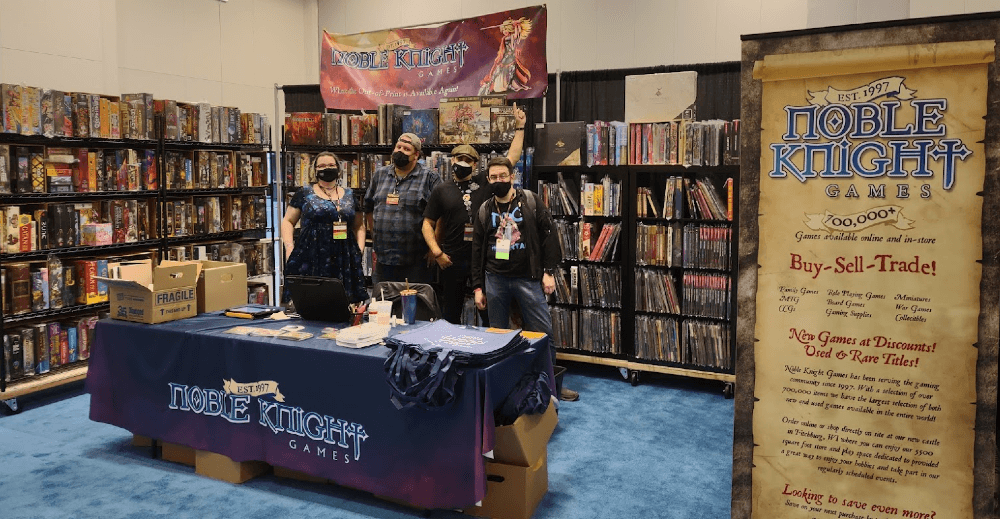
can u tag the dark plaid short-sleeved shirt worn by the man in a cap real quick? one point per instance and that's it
(398, 239)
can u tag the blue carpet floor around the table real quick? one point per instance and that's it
(662, 449)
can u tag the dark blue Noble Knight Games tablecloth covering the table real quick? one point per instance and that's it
(310, 406)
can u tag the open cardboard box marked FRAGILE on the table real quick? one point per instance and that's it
(171, 295)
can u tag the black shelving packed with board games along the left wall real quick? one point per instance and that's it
(74, 206)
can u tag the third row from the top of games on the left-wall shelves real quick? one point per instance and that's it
(47, 226)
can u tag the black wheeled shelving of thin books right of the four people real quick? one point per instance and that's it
(673, 296)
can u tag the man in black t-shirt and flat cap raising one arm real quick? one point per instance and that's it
(447, 226)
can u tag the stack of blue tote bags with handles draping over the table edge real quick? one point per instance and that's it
(425, 364)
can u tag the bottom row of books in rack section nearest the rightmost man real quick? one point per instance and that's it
(594, 331)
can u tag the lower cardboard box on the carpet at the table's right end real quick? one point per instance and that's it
(513, 492)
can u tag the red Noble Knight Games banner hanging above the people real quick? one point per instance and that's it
(500, 53)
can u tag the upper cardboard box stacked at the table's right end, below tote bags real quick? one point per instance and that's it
(522, 442)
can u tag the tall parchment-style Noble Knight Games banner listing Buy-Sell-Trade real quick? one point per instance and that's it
(868, 284)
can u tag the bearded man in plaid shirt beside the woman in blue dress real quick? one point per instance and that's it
(394, 207)
